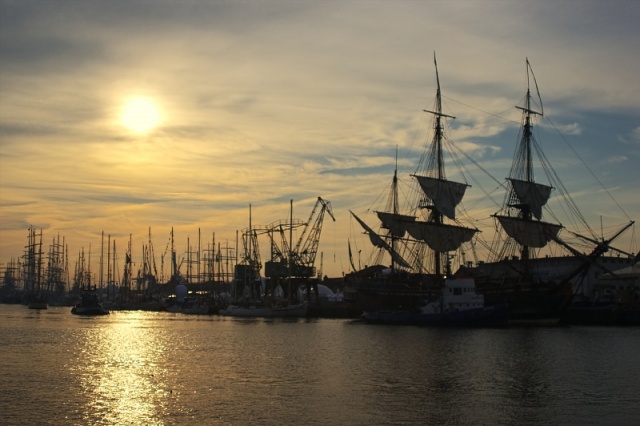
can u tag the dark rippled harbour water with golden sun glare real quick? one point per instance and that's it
(160, 368)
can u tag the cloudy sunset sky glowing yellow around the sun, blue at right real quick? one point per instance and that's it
(262, 102)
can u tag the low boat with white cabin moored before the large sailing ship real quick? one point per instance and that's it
(458, 305)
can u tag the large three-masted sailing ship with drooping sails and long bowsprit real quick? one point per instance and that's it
(426, 241)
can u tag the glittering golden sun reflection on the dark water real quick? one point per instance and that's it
(121, 380)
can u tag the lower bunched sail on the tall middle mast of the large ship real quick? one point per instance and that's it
(440, 237)
